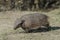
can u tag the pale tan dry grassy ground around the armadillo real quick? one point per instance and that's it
(8, 18)
